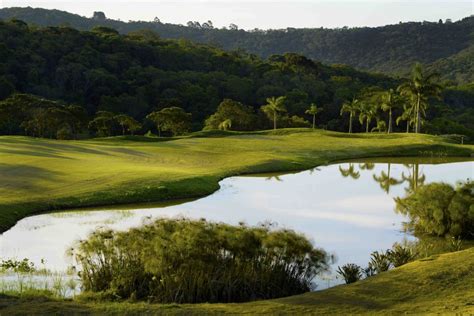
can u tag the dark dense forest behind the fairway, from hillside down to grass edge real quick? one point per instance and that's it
(98, 76)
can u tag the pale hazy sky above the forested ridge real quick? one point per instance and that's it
(265, 13)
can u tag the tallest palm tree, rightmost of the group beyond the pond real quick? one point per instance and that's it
(420, 87)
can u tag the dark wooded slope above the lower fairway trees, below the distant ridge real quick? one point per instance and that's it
(138, 72)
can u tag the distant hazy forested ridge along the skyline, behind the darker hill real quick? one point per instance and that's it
(444, 46)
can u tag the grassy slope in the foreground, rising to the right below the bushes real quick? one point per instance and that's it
(441, 284)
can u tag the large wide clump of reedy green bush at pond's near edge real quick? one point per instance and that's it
(185, 261)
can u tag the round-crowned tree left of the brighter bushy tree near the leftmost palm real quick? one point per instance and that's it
(173, 119)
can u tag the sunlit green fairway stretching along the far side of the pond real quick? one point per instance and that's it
(40, 175)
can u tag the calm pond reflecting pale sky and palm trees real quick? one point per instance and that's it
(345, 208)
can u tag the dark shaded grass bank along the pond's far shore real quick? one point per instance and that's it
(198, 186)
